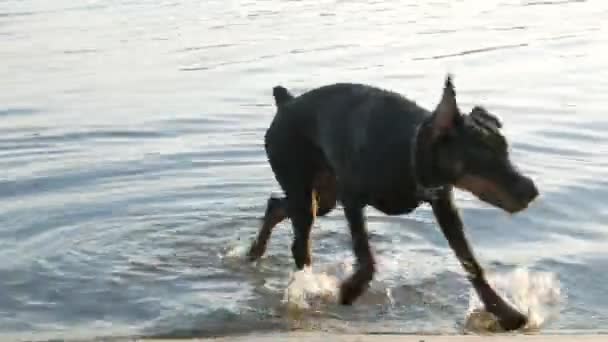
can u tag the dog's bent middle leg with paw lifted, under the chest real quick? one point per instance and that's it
(358, 283)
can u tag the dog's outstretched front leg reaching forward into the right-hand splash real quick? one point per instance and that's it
(451, 224)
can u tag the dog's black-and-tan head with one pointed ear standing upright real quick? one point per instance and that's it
(472, 153)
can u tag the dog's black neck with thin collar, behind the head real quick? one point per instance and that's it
(428, 185)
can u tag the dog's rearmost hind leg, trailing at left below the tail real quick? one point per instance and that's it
(276, 212)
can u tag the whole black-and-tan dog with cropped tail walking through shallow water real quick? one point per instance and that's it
(361, 146)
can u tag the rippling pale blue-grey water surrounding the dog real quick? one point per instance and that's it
(133, 173)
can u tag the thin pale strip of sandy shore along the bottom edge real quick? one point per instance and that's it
(321, 337)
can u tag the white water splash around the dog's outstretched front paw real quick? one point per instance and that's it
(535, 294)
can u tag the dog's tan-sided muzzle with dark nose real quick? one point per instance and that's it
(514, 200)
